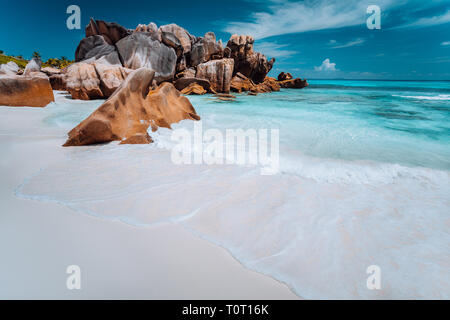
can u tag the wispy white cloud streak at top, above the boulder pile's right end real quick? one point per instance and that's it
(284, 17)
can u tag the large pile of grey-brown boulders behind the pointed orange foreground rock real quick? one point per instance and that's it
(195, 65)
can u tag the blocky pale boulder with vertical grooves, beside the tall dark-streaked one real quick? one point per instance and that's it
(218, 73)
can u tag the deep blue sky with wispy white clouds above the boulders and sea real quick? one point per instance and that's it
(311, 38)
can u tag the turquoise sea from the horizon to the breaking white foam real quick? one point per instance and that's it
(396, 122)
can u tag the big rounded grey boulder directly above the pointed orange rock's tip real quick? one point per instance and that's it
(141, 51)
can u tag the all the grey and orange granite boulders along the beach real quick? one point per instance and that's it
(143, 74)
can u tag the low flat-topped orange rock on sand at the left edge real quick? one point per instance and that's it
(20, 91)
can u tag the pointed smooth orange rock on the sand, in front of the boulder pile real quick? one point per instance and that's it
(129, 112)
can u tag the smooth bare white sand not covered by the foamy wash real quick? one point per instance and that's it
(39, 239)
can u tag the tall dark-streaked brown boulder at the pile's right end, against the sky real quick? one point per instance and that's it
(253, 65)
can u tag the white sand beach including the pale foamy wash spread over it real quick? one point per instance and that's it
(140, 226)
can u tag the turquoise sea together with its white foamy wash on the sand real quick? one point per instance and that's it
(364, 180)
